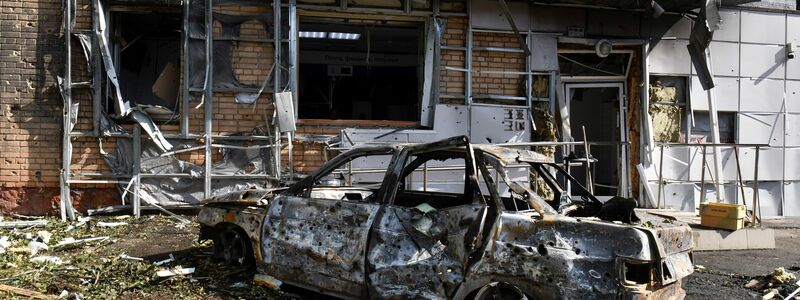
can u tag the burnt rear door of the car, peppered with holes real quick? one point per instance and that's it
(422, 239)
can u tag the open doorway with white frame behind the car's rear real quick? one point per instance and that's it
(599, 109)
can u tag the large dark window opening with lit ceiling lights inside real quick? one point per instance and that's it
(360, 69)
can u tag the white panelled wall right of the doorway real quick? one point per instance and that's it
(755, 79)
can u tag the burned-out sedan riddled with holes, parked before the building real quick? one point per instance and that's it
(451, 220)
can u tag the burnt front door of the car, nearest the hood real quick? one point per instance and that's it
(315, 234)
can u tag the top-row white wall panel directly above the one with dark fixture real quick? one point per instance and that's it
(763, 27)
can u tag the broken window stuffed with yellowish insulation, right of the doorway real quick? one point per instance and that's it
(668, 108)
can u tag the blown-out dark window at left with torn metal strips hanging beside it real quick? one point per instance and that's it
(147, 55)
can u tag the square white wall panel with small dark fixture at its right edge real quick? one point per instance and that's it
(760, 61)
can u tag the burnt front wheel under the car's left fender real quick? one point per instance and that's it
(233, 247)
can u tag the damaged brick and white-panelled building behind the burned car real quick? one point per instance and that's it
(159, 104)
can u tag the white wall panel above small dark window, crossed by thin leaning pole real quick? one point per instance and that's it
(727, 94)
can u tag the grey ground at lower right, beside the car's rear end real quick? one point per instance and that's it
(726, 272)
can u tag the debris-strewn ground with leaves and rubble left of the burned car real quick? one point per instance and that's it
(122, 266)
